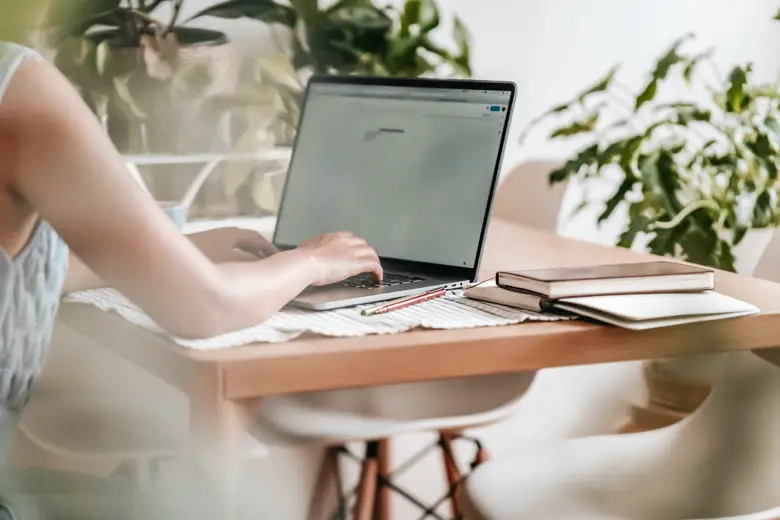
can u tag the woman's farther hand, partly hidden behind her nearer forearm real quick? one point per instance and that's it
(232, 244)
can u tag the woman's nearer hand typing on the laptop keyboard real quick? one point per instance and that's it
(337, 256)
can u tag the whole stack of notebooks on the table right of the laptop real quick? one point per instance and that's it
(635, 296)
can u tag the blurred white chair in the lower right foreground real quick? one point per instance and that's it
(719, 462)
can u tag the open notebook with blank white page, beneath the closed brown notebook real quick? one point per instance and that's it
(630, 311)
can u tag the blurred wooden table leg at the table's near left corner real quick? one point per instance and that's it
(218, 428)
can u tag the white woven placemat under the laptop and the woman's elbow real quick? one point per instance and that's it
(451, 312)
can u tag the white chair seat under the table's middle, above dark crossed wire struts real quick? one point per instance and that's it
(386, 411)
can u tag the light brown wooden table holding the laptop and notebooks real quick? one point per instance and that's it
(224, 384)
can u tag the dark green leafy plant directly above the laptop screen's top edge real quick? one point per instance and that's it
(358, 37)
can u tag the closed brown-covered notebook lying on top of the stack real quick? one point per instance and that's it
(645, 277)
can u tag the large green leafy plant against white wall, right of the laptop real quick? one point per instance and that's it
(696, 175)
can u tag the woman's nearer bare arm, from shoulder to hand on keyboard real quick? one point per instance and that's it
(65, 167)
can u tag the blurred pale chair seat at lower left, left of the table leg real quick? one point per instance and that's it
(87, 424)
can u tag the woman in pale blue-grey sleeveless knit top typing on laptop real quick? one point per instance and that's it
(71, 218)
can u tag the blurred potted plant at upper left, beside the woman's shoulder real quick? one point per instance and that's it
(142, 74)
